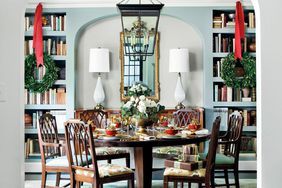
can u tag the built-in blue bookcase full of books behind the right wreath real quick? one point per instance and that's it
(226, 100)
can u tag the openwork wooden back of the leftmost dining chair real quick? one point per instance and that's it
(48, 137)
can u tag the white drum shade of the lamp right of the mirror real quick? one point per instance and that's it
(179, 60)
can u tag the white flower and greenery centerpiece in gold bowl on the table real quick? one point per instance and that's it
(140, 109)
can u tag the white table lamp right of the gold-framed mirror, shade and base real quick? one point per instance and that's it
(179, 62)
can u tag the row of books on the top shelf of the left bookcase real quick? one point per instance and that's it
(49, 22)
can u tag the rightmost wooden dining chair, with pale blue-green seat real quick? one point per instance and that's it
(231, 142)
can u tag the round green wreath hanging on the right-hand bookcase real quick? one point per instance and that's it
(229, 76)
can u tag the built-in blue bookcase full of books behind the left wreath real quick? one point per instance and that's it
(54, 100)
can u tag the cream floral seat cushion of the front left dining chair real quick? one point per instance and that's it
(105, 170)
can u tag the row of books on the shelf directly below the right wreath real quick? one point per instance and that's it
(222, 93)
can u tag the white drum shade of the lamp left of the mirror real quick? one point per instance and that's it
(99, 60)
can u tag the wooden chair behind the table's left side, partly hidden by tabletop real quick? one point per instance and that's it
(99, 118)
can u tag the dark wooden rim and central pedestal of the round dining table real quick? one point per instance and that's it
(143, 153)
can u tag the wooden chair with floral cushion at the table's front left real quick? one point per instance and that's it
(79, 138)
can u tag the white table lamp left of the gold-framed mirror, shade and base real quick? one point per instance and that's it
(99, 61)
